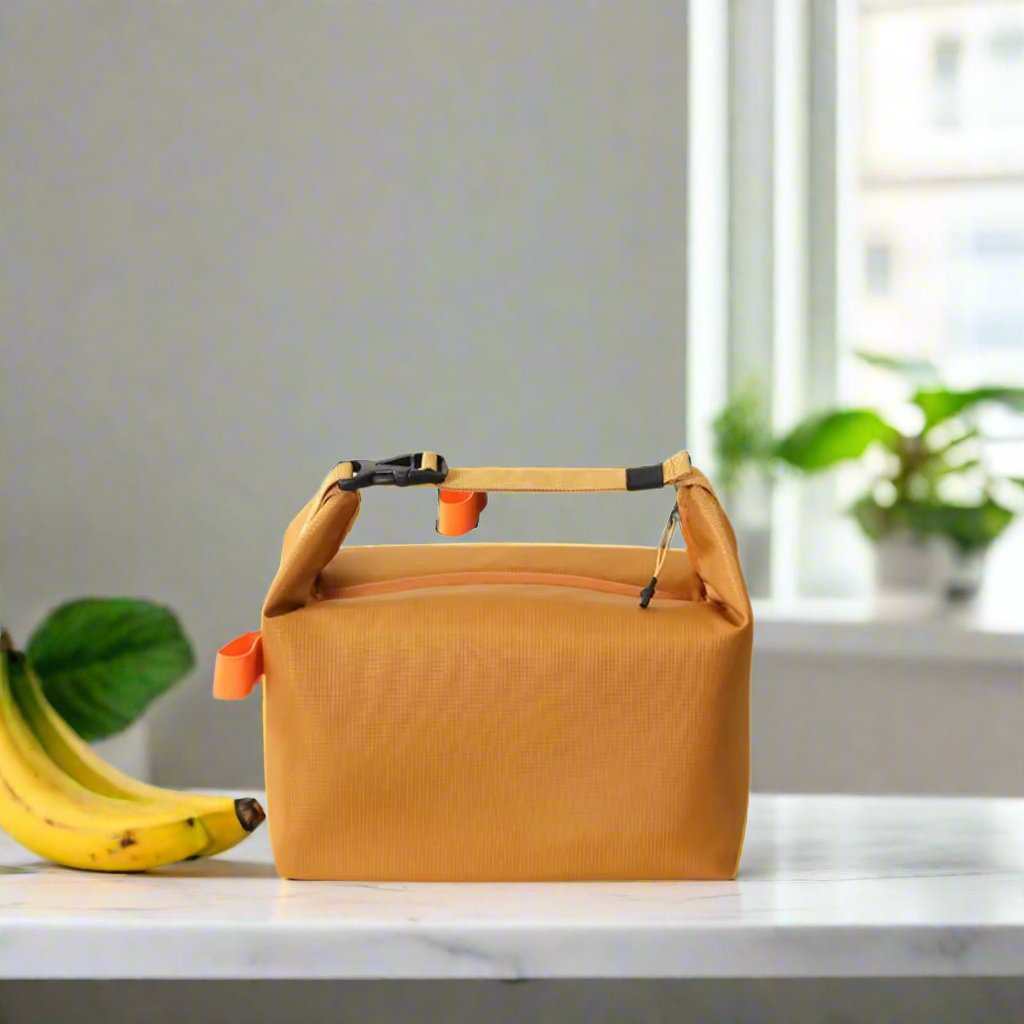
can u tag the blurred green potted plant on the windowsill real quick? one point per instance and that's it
(932, 506)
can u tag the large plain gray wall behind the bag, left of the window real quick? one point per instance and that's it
(244, 241)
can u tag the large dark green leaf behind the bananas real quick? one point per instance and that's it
(103, 661)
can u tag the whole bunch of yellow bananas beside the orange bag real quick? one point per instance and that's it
(65, 803)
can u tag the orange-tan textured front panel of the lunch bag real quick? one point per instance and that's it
(506, 733)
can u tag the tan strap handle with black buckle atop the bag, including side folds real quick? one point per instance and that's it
(320, 529)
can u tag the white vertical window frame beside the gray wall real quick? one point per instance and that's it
(767, 250)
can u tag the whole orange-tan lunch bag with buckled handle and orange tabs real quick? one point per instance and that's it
(503, 712)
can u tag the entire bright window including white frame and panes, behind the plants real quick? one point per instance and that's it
(875, 200)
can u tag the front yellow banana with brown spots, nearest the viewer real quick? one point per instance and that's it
(74, 827)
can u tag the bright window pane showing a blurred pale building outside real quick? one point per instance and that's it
(938, 174)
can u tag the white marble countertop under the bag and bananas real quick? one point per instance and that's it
(830, 886)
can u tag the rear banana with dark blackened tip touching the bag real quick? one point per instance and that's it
(228, 822)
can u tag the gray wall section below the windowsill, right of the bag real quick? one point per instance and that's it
(836, 723)
